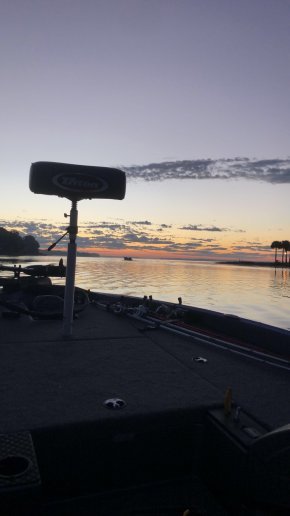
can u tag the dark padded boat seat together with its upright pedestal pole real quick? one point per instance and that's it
(75, 182)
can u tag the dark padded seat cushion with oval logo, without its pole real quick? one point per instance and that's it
(76, 182)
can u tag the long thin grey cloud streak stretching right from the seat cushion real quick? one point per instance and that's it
(271, 170)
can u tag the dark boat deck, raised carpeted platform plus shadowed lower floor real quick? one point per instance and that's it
(53, 393)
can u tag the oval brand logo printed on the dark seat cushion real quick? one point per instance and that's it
(80, 183)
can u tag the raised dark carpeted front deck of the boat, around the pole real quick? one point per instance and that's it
(47, 381)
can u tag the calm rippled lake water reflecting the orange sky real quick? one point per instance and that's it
(258, 293)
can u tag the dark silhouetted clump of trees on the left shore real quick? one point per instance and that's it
(11, 243)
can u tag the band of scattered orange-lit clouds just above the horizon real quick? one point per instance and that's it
(137, 236)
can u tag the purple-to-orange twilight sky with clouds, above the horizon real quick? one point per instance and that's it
(191, 98)
